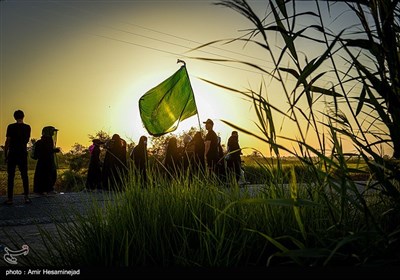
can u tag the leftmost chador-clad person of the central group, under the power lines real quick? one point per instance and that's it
(93, 181)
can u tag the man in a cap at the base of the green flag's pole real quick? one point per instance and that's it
(211, 147)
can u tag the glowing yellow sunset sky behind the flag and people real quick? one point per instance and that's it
(82, 66)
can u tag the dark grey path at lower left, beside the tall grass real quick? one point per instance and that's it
(20, 223)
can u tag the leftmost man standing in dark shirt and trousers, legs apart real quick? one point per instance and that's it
(16, 154)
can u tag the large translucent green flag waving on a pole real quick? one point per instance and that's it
(164, 106)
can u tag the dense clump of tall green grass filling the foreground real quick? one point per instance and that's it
(188, 222)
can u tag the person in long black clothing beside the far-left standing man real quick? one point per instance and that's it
(46, 169)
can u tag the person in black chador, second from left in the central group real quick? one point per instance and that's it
(115, 164)
